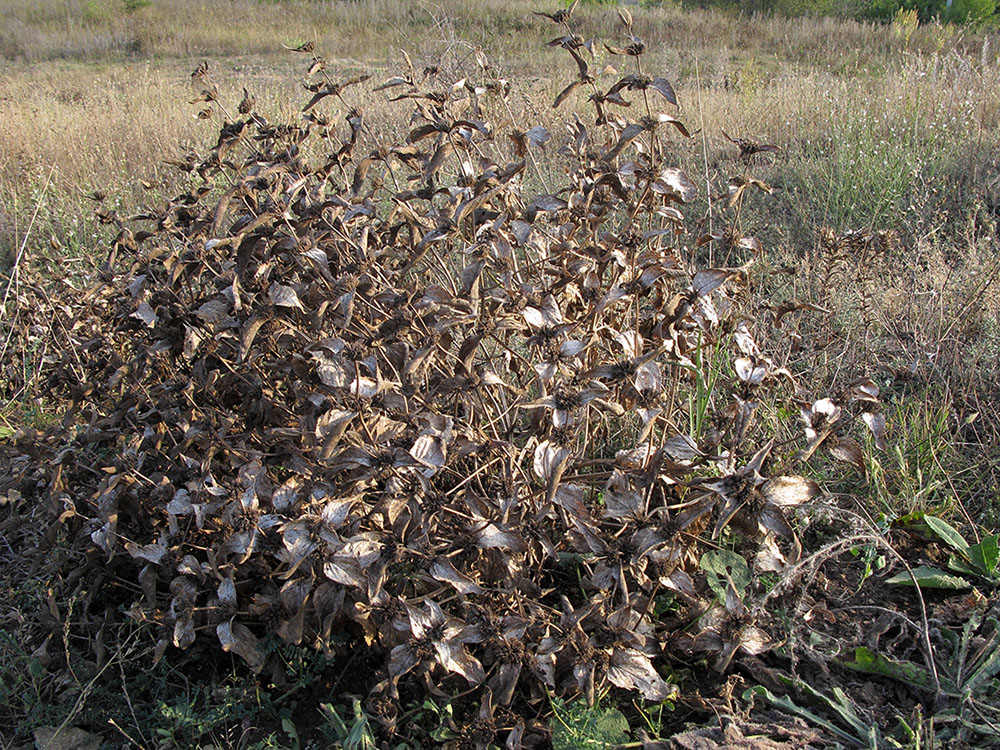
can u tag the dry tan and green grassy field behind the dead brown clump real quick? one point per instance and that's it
(888, 128)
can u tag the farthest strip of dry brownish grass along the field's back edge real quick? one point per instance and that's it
(37, 30)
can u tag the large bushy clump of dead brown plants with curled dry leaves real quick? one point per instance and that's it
(410, 399)
